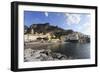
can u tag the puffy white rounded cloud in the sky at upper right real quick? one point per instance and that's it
(72, 18)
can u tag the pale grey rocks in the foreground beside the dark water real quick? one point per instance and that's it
(42, 55)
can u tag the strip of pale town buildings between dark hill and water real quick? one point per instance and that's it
(50, 36)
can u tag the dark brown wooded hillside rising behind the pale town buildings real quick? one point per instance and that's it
(46, 28)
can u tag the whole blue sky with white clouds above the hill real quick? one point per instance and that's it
(79, 22)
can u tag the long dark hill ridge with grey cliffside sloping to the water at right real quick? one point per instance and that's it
(65, 35)
